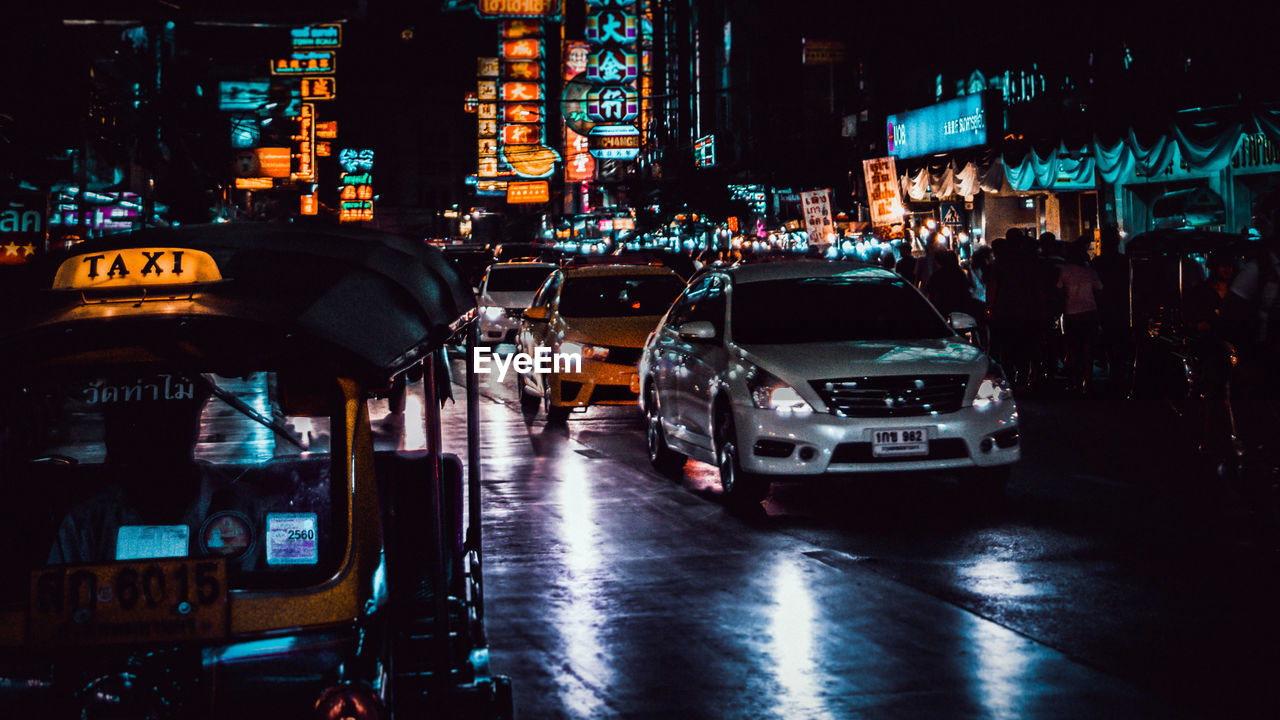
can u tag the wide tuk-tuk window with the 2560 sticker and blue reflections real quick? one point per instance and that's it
(136, 466)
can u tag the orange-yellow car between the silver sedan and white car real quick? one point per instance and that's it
(582, 338)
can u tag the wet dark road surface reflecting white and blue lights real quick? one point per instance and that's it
(1114, 581)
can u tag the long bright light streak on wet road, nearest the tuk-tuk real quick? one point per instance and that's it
(580, 617)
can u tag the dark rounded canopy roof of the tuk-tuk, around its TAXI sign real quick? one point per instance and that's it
(365, 302)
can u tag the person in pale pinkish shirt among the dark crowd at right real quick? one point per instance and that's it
(1081, 289)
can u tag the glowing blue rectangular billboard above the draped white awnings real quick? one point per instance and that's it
(948, 126)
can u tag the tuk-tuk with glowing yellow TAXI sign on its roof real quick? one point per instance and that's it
(200, 520)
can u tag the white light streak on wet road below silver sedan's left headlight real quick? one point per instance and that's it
(793, 628)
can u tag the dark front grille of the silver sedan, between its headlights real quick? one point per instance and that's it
(892, 397)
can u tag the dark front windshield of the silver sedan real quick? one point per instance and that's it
(834, 309)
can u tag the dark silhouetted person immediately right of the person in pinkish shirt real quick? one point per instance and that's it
(1116, 344)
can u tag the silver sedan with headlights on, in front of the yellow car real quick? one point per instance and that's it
(793, 370)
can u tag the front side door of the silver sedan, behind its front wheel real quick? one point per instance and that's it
(702, 361)
